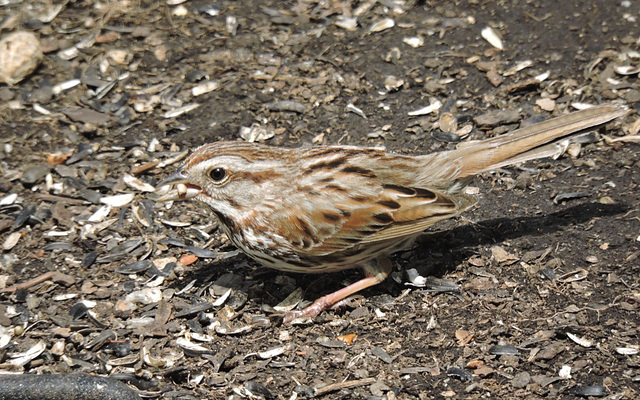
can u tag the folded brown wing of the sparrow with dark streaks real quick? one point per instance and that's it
(344, 220)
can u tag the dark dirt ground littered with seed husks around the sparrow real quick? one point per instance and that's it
(534, 293)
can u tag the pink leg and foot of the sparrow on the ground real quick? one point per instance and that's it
(377, 272)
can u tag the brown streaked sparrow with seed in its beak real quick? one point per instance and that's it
(322, 209)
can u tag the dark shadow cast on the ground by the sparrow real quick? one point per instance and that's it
(438, 252)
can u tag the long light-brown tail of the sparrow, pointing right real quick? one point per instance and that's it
(545, 139)
